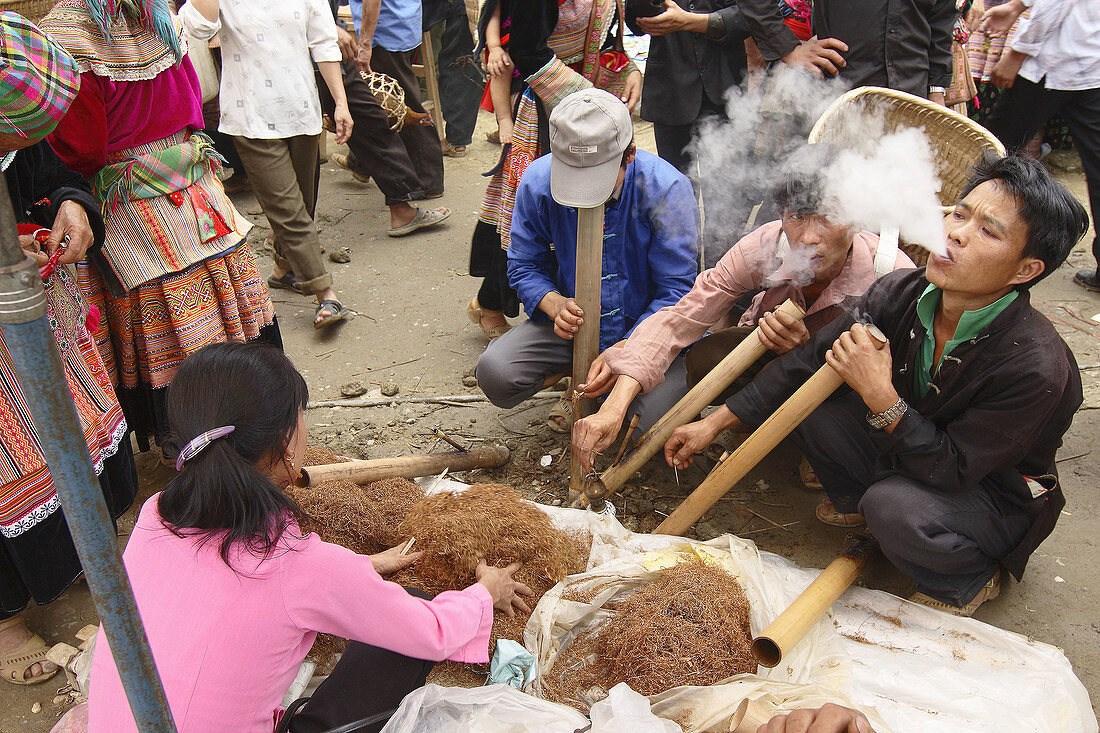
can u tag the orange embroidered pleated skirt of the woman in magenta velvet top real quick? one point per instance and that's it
(158, 325)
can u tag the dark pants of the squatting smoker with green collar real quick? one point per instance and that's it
(950, 544)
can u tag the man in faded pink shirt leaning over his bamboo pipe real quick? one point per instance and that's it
(816, 260)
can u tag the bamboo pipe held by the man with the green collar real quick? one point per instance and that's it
(757, 446)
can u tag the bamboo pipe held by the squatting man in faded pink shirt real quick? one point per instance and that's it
(701, 396)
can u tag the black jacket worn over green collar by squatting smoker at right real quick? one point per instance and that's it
(998, 410)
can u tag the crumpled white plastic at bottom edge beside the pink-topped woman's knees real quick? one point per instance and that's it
(492, 709)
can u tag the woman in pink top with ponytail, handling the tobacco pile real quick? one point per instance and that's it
(233, 595)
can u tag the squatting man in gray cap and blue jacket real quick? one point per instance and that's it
(651, 233)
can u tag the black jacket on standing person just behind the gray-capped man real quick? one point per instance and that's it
(684, 67)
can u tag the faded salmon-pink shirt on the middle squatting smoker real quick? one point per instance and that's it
(744, 269)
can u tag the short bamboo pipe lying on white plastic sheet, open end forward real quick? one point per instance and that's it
(790, 627)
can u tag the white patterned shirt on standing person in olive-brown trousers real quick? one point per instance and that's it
(269, 91)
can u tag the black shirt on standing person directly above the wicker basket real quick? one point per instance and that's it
(900, 45)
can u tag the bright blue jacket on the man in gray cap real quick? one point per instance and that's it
(651, 240)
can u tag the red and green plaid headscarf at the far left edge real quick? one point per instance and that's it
(38, 79)
